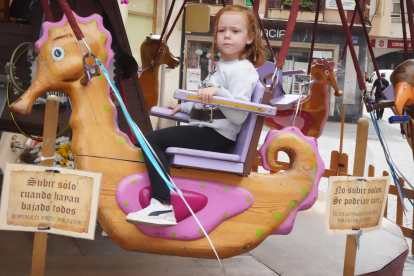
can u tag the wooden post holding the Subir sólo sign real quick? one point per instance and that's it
(48, 150)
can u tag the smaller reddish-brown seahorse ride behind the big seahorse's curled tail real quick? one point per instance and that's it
(314, 109)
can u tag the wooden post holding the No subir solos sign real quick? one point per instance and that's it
(359, 164)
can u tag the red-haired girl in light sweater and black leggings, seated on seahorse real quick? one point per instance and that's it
(238, 39)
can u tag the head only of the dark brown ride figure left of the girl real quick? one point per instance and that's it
(164, 56)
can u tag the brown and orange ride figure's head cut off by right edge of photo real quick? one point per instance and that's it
(402, 79)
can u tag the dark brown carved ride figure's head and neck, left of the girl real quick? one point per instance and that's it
(149, 77)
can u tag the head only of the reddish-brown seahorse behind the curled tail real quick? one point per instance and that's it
(323, 70)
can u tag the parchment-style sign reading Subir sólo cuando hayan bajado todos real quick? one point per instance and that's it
(49, 199)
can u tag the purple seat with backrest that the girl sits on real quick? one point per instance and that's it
(239, 160)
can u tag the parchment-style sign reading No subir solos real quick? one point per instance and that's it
(355, 203)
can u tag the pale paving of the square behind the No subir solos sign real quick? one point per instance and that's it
(400, 152)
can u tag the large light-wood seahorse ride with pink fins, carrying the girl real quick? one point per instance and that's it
(261, 204)
